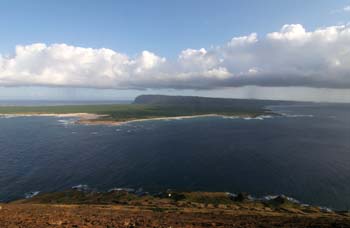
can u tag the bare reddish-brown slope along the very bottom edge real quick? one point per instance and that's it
(125, 216)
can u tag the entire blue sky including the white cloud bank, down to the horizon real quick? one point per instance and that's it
(291, 49)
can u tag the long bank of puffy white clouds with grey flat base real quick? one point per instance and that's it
(291, 56)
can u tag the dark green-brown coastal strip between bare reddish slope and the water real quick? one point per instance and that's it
(167, 201)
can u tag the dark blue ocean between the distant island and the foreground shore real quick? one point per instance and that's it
(305, 154)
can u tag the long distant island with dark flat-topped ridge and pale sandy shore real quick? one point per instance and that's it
(146, 107)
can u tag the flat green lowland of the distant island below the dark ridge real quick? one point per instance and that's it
(129, 111)
